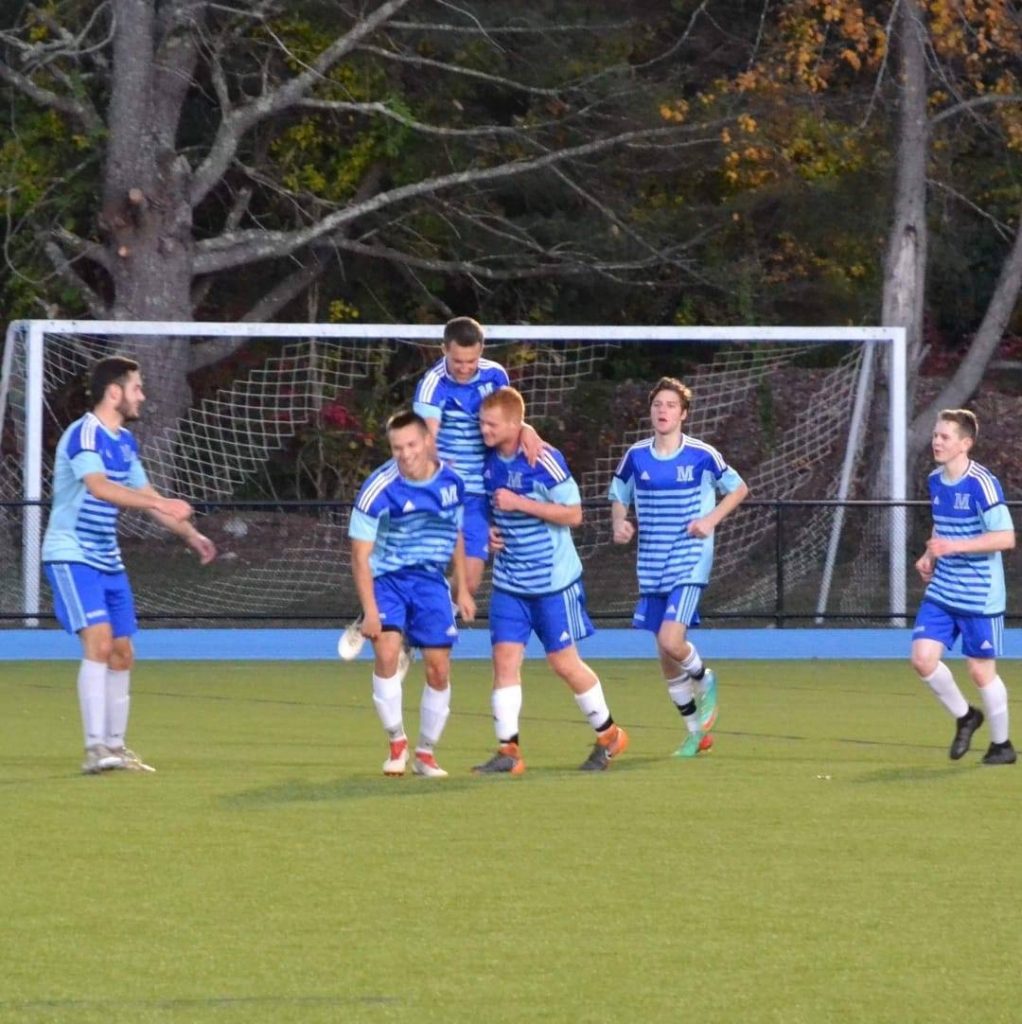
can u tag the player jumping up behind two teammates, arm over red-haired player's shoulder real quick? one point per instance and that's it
(448, 398)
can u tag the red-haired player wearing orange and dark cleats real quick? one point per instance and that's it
(537, 583)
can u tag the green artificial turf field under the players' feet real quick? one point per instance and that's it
(826, 863)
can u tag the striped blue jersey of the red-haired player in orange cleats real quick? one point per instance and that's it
(538, 558)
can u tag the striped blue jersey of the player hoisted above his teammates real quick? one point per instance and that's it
(459, 442)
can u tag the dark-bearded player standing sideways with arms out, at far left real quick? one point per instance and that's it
(98, 473)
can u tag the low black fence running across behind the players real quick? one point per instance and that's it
(287, 564)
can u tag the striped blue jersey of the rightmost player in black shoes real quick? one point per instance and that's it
(971, 584)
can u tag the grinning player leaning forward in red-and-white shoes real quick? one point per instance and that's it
(405, 530)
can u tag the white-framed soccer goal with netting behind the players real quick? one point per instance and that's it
(285, 413)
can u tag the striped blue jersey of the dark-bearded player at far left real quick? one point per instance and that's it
(83, 529)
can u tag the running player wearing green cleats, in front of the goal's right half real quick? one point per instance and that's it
(673, 481)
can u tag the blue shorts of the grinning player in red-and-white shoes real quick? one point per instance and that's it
(417, 603)
